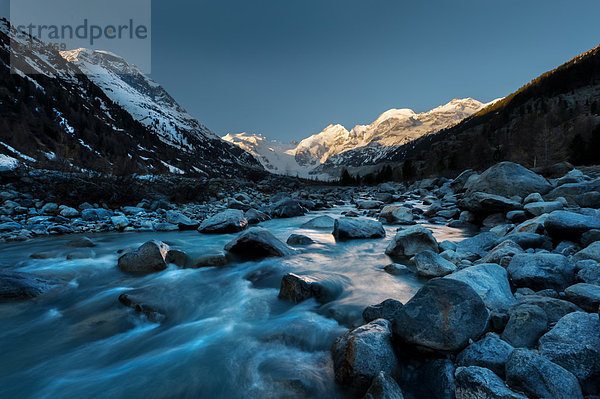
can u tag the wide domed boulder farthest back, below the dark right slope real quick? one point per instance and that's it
(508, 179)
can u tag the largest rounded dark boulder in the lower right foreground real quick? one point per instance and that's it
(443, 316)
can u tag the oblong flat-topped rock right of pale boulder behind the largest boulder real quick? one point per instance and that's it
(541, 270)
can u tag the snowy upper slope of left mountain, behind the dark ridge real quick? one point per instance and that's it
(139, 95)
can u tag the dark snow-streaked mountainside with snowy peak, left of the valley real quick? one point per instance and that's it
(54, 116)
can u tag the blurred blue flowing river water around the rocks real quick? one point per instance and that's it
(224, 337)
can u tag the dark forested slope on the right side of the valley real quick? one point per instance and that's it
(554, 118)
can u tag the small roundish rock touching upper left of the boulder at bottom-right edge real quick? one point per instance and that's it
(527, 323)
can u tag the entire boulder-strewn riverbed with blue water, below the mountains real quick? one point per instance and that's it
(485, 286)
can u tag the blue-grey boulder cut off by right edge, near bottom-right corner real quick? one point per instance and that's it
(574, 344)
